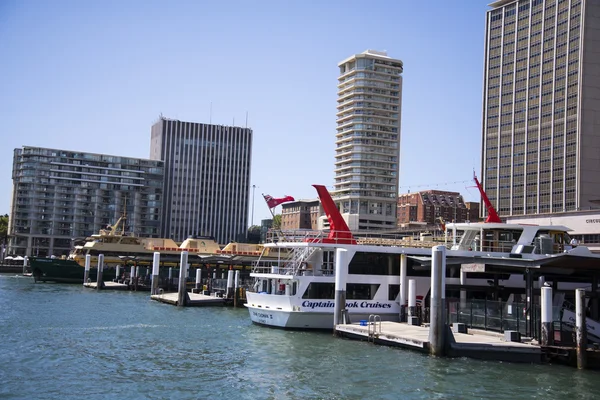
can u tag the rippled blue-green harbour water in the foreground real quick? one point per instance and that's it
(60, 341)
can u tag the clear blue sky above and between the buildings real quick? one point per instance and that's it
(94, 76)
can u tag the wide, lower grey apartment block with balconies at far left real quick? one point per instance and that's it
(59, 196)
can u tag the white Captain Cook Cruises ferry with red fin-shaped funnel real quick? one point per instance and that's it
(297, 290)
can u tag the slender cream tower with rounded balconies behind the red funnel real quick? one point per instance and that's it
(368, 140)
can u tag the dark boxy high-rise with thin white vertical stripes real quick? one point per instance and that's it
(207, 178)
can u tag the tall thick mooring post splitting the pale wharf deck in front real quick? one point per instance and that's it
(436, 316)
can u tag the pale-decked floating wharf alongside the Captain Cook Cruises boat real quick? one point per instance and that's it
(475, 344)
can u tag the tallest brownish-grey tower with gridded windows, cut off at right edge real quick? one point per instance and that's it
(541, 106)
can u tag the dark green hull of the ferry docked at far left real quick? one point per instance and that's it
(61, 270)
